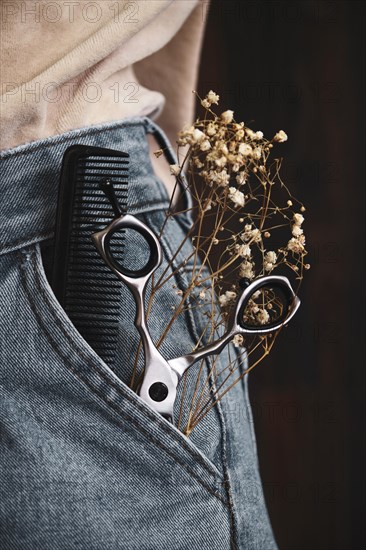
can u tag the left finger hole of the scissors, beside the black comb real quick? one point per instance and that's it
(131, 252)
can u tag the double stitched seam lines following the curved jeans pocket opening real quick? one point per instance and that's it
(197, 458)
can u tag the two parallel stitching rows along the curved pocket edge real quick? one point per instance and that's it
(120, 391)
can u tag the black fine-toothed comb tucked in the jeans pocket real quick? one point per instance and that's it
(83, 284)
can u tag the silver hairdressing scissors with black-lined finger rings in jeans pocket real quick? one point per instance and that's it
(161, 377)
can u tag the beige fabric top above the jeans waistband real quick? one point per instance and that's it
(67, 64)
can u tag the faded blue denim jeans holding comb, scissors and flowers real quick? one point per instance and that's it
(85, 463)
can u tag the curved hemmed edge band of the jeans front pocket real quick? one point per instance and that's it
(74, 353)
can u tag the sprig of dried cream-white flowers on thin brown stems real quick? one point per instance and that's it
(246, 224)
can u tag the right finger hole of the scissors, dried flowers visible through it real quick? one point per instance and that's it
(268, 307)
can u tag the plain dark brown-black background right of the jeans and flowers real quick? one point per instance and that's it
(299, 66)
